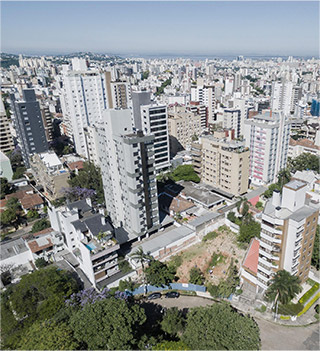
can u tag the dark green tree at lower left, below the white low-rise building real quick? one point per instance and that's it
(41, 294)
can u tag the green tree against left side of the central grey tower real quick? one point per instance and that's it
(89, 178)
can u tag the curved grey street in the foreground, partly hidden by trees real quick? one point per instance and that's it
(273, 336)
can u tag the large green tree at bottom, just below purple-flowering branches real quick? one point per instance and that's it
(110, 324)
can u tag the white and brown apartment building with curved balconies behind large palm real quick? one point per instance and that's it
(287, 236)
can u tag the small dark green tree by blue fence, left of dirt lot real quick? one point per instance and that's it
(159, 274)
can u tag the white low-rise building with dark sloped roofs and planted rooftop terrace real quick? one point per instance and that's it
(89, 237)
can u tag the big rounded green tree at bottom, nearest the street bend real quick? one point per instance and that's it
(220, 327)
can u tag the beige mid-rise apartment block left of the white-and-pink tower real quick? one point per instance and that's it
(222, 162)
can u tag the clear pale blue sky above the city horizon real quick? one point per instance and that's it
(186, 28)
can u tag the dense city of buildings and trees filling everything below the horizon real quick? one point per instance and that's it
(159, 203)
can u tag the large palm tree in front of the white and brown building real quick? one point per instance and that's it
(284, 287)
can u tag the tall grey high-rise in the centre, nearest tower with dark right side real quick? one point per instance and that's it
(127, 161)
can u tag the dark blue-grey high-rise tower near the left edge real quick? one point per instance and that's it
(29, 125)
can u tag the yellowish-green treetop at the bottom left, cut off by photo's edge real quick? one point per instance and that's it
(48, 335)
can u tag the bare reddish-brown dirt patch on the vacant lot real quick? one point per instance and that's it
(200, 256)
